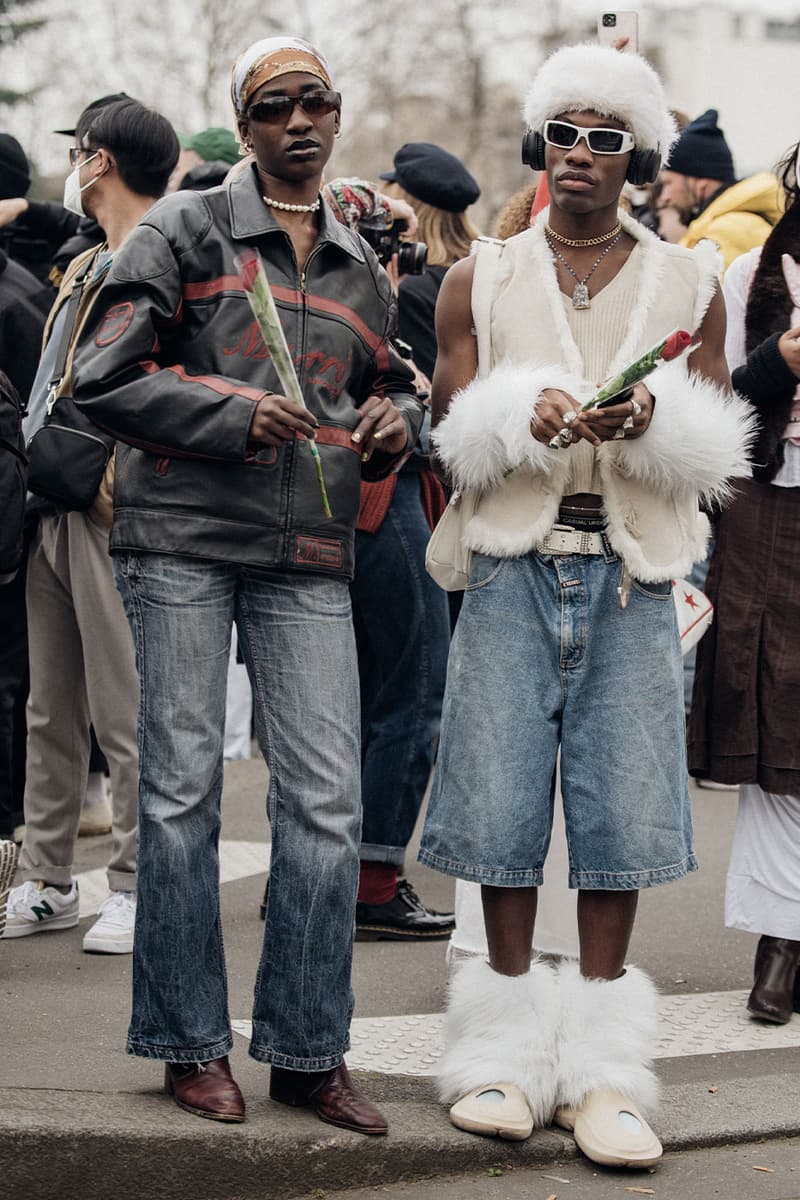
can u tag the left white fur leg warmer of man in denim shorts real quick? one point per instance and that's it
(502, 1030)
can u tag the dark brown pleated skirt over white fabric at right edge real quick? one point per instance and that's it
(743, 727)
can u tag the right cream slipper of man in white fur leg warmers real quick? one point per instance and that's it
(611, 1131)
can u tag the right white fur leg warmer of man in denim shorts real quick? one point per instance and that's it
(606, 1036)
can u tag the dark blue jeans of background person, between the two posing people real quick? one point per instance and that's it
(402, 632)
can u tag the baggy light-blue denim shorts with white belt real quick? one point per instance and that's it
(545, 659)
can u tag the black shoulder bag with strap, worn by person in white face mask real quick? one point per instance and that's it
(69, 454)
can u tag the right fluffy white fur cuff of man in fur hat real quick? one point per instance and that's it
(699, 440)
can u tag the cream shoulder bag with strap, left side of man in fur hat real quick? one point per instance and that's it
(448, 560)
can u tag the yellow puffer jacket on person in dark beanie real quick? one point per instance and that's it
(741, 218)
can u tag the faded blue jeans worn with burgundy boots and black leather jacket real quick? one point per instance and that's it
(297, 637)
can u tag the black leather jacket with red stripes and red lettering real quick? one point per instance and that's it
(173, 365)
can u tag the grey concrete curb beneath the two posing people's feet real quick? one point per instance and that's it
(61, 1145)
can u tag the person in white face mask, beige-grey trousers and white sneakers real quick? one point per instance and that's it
(82, 661)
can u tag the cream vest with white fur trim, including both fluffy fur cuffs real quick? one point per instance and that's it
(697, 441)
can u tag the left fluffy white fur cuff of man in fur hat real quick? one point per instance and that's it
(488, 429)
